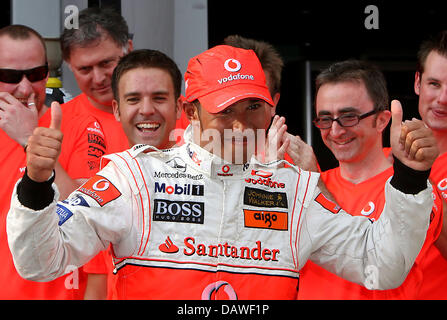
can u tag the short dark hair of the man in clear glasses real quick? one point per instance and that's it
(357, 71)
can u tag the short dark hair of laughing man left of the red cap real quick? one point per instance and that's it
(146, 58)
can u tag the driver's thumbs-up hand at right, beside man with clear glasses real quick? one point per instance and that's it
(412, 142)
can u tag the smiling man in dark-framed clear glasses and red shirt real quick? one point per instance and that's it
(352, 114)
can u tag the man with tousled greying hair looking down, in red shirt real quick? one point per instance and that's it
(92, 52)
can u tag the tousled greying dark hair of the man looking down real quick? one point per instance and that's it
(94, 25)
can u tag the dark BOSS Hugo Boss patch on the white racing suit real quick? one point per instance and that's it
(178, 211)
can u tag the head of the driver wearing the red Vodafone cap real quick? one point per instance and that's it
(232, 122)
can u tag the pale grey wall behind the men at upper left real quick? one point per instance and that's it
(178, 28)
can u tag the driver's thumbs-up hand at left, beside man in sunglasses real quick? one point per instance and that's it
(44, 147)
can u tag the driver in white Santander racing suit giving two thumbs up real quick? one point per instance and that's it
(191, 223)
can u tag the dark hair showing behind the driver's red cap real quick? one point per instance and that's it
(270, 59)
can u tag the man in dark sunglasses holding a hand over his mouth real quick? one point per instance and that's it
(23, 76)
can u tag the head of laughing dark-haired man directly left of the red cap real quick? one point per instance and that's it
(147, 85)
